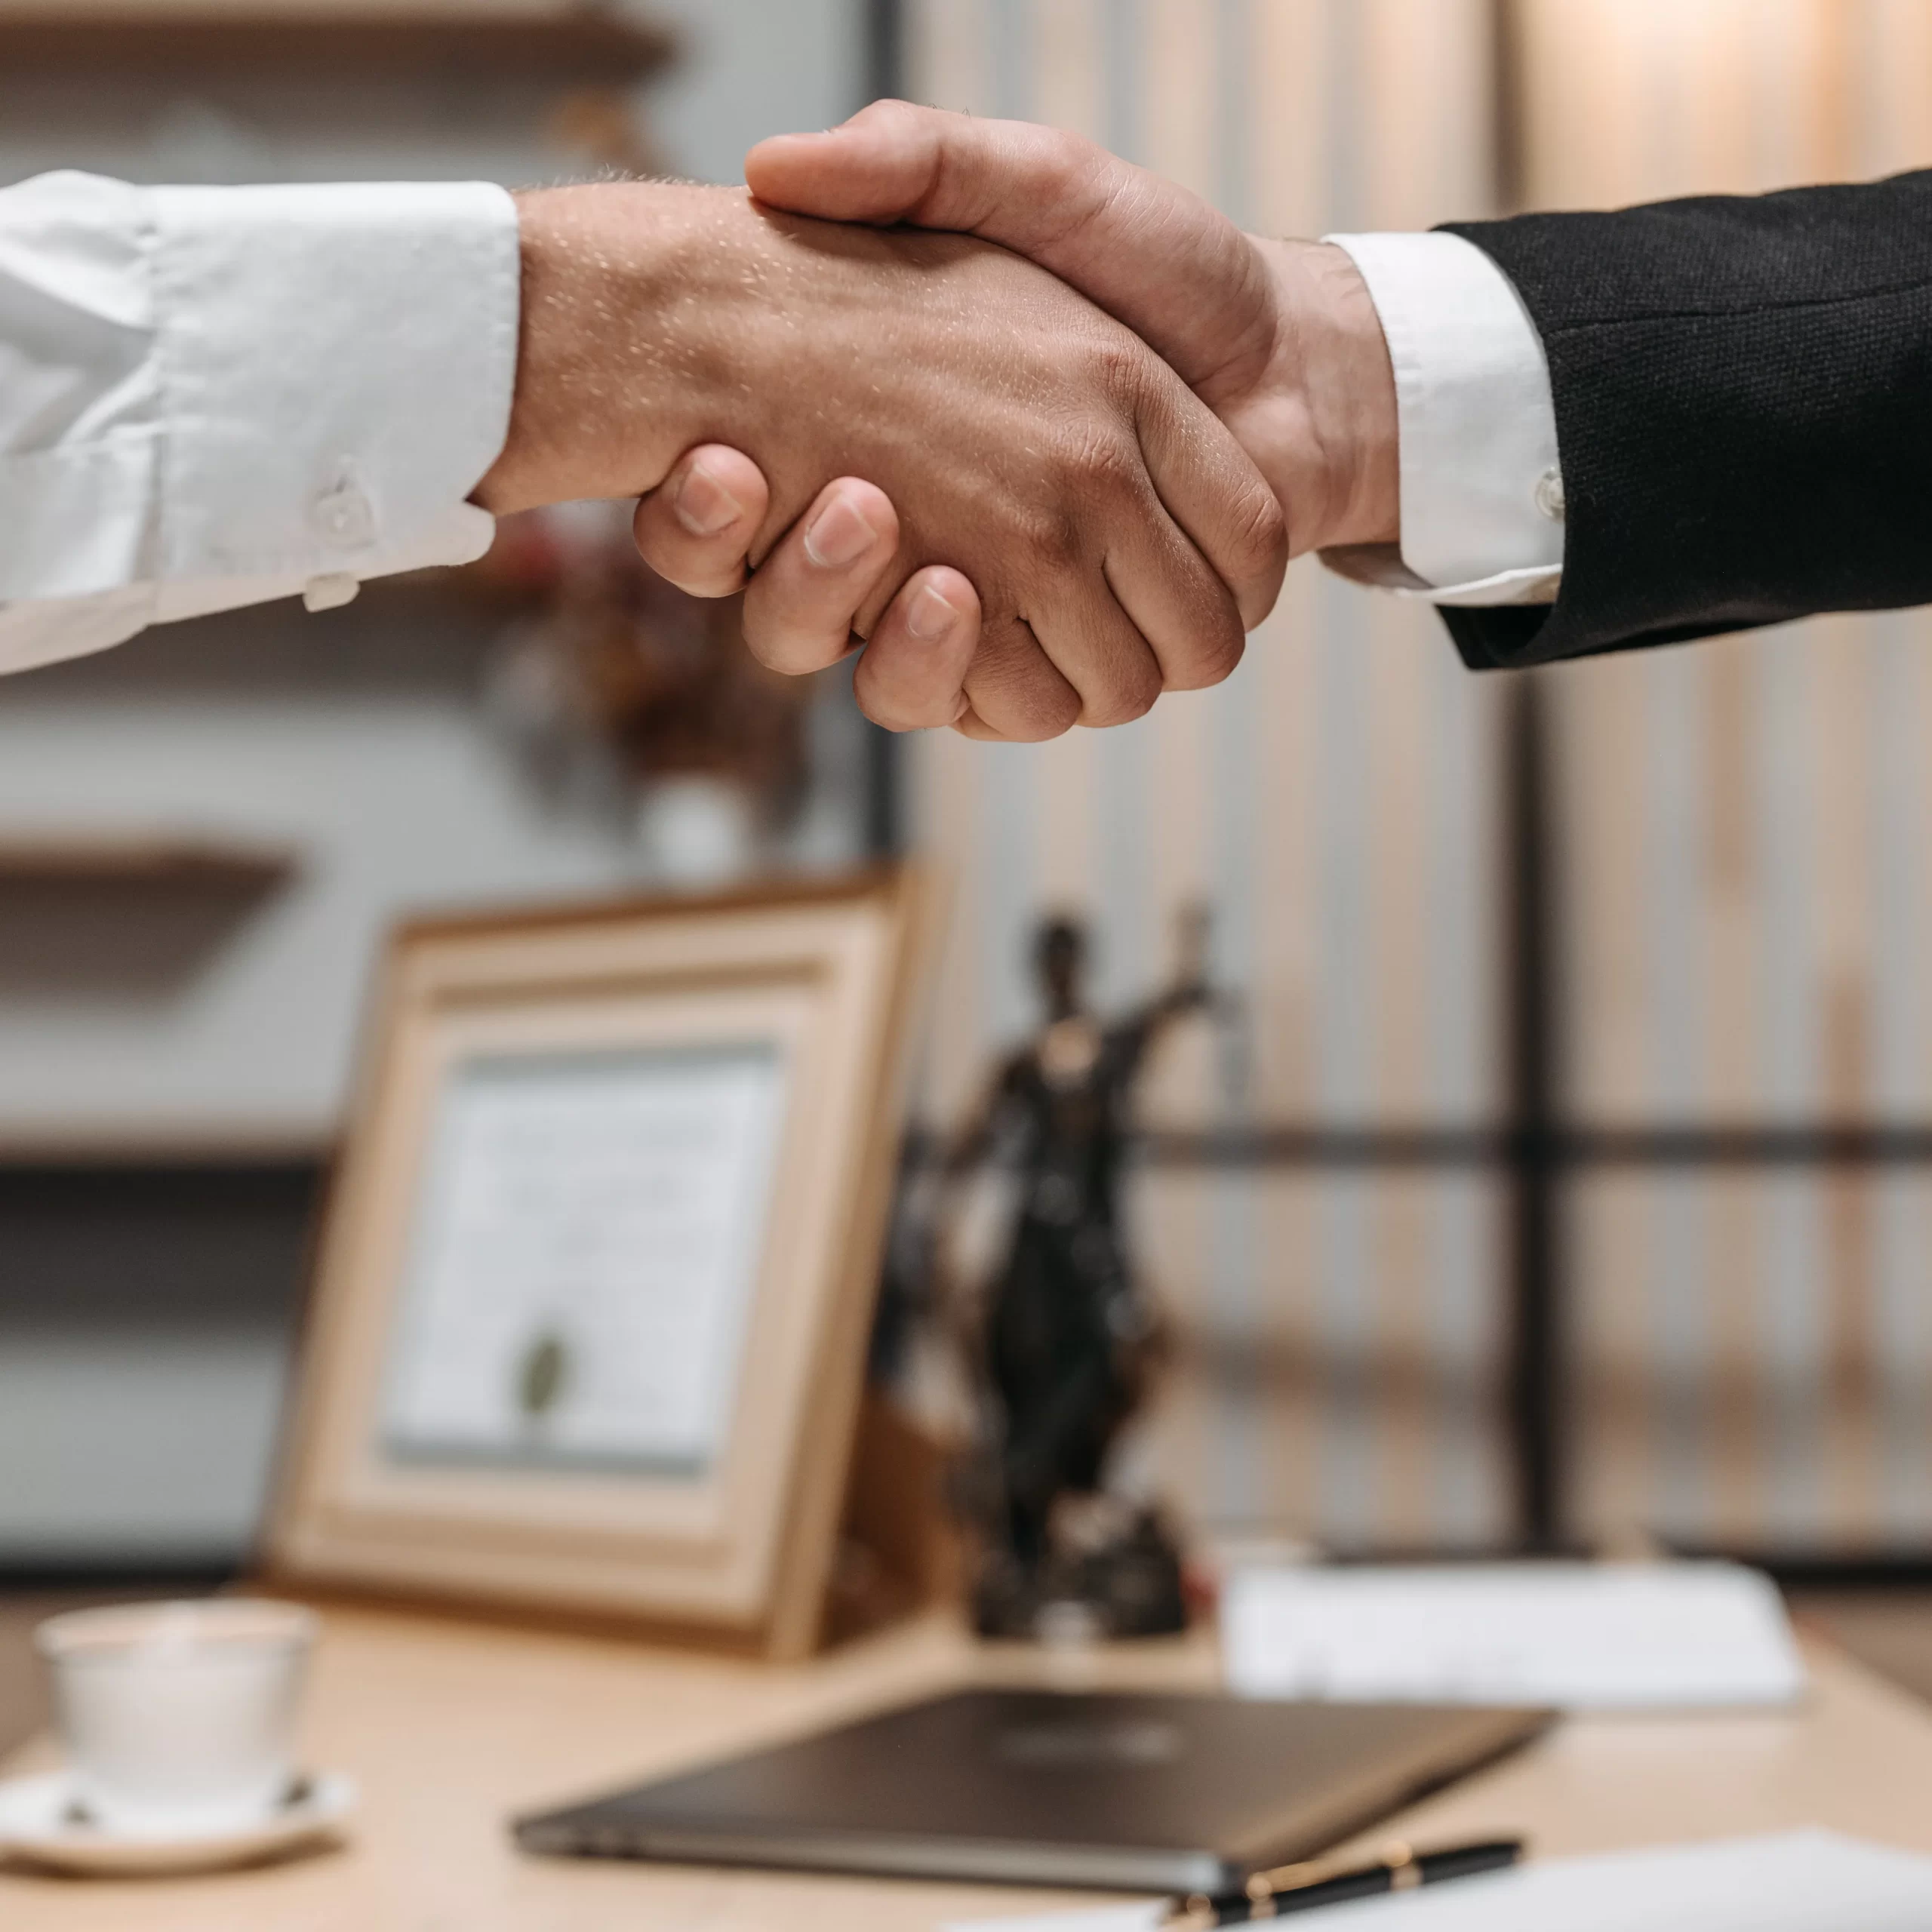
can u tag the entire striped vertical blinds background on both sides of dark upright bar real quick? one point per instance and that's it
(1742, 868)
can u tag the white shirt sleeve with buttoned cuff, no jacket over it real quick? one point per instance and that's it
(213, 397)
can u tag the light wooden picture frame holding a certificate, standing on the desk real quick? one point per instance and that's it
(660, 1135)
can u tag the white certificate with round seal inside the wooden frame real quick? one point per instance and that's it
(584, 1259)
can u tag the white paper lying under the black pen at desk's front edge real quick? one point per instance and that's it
(1792, 1883)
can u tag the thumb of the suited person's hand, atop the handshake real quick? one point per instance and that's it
(1147, 250)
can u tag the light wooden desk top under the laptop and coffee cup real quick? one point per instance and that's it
(451, 1726)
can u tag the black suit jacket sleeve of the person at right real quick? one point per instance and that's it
(1744, 405)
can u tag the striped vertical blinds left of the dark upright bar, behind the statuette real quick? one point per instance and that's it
(1338, 1332)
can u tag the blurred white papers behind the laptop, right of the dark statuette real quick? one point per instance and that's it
(1577, 1635)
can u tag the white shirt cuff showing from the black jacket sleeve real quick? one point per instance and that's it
(1481, 486)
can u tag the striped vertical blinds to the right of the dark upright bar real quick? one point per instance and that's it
(1746, 886)
